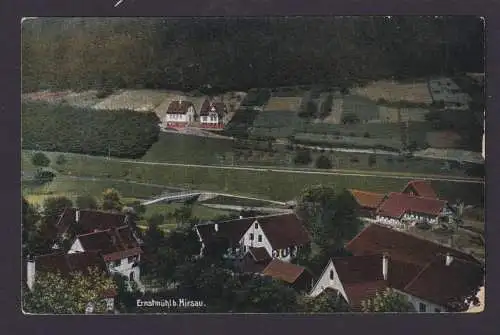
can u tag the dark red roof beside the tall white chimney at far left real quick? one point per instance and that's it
(67, 263)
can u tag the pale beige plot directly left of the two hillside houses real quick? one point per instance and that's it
(137, 100)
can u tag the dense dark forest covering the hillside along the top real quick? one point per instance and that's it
(240, 53)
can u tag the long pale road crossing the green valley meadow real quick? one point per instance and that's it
(331, 172)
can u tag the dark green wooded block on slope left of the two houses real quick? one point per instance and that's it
(122, 133)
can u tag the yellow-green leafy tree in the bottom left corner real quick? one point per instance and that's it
(53, 293)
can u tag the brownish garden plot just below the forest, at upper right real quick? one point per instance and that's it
(393, 91)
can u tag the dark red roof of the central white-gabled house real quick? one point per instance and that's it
(284, 230)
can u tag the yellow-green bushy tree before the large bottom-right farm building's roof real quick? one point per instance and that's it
(388, 301)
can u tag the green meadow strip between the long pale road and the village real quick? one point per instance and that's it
(260, 184)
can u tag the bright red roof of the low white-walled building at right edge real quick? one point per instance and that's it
(397, 204)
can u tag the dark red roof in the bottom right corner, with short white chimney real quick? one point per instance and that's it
(447, 285)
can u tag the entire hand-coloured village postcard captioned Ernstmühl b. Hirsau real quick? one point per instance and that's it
(303, 165)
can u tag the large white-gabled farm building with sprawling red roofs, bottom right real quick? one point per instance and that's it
(432, 277)
